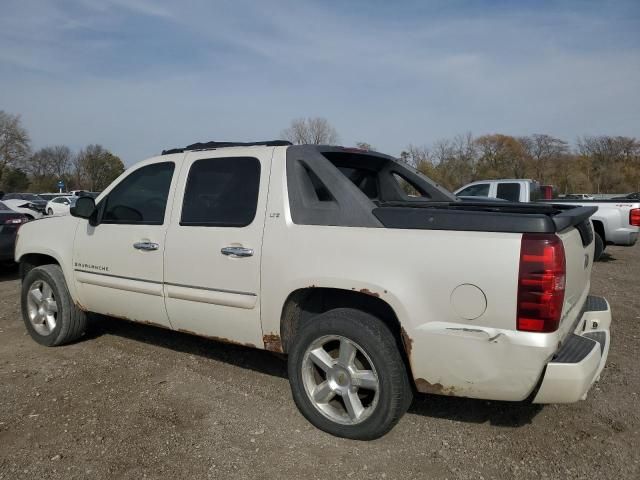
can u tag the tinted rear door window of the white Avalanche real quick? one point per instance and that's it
(221, 192)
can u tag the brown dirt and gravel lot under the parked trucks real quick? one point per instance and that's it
(133, 401)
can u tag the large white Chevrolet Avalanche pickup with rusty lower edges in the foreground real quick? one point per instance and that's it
(374, 280)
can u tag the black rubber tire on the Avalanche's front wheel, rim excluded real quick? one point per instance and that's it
(70, 321)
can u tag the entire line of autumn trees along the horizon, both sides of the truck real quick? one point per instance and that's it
(595, 164)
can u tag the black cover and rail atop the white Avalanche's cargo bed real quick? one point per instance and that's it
(482, 216)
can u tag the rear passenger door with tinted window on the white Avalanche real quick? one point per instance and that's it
(213, 248)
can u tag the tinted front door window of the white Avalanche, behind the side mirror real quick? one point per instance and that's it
(141, 198)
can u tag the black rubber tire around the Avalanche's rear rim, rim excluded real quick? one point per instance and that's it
(377, 341)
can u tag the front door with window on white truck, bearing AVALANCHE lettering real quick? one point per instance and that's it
(118, 264)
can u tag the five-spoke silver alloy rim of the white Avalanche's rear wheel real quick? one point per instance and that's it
(340, 379)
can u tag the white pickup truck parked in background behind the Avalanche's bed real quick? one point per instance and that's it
(616, 222)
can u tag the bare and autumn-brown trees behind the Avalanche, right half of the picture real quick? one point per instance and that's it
(596, 164)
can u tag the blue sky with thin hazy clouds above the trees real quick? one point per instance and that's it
(139, 76)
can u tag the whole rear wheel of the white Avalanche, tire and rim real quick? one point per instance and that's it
(347, 375)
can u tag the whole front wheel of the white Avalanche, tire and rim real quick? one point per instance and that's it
(48, 310)
